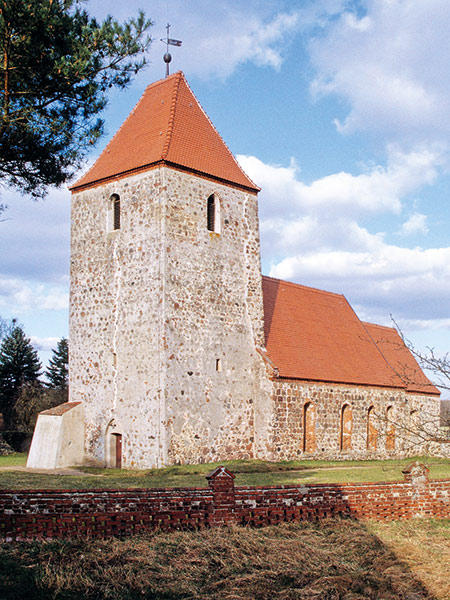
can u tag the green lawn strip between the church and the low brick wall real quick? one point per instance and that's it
(250, 472)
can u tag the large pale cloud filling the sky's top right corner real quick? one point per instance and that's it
(391, 65)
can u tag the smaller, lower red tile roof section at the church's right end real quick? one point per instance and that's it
(400, 358)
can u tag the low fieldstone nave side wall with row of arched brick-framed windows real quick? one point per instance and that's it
(400, 424)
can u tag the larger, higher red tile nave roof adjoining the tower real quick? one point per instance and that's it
(316, 336)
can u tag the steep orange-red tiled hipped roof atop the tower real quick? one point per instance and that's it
(167, 126)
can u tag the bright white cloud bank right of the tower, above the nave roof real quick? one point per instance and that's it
(311, 242)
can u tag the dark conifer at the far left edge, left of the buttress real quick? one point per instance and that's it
(19, 364)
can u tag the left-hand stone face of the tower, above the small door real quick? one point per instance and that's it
(115, 320)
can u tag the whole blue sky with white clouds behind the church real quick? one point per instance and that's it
(337, 109)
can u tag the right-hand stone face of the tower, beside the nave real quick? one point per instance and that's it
(214, 321)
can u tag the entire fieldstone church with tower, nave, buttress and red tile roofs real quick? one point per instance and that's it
(180, 350)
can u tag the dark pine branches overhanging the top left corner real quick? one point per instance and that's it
(56, 67)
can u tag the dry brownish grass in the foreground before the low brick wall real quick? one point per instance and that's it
(331, 560)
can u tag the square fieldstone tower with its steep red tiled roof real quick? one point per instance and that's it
(166, 311)
